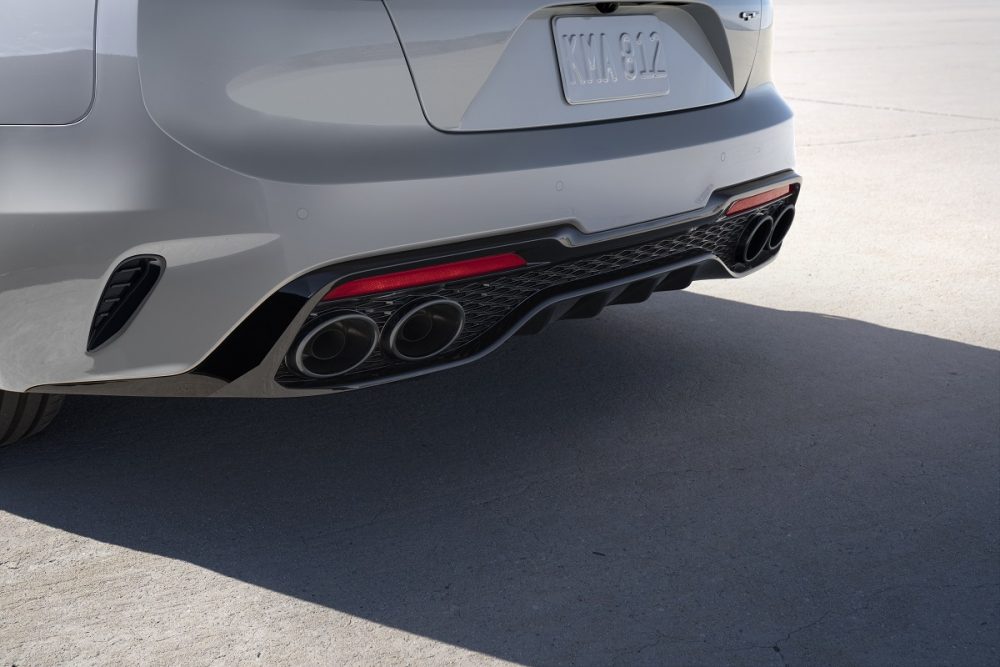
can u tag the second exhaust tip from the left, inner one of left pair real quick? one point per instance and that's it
(425, 330)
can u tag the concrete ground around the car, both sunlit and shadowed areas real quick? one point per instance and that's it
(798, 468)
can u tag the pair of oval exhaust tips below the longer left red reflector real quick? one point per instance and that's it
(341, 343)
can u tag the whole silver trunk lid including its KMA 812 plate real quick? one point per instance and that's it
(483, 65)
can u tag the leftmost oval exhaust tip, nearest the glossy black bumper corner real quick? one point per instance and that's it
(336, 346)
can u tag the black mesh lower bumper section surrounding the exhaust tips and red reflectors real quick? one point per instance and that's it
(569, 275)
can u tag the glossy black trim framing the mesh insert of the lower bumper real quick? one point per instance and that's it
(235, 370)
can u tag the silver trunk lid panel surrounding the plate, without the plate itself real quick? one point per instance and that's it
(482, 65)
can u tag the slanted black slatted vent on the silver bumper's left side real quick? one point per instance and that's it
(127, 289)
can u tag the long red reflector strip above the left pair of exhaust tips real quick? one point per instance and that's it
(441, 273)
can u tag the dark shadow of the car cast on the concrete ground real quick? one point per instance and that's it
(689, 481)
